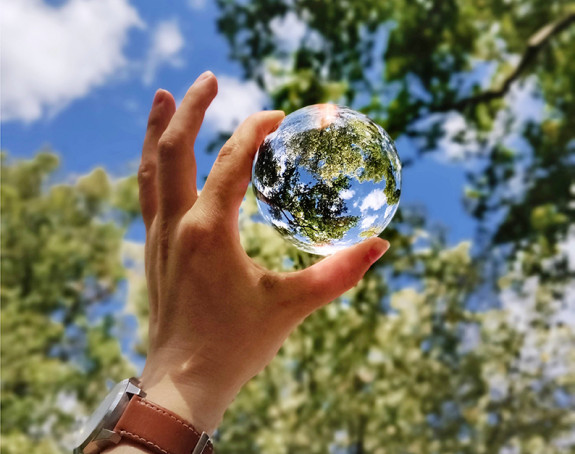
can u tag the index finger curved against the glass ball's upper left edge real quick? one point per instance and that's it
(230, 176)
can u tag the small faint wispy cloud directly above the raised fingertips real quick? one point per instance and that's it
(167, 42)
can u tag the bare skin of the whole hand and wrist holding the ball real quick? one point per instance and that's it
(217, 318)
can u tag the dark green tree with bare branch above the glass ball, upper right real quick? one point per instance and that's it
(437, 54)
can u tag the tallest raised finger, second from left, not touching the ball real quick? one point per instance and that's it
(176, 161)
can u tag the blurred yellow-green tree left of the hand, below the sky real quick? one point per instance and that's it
(61, 267)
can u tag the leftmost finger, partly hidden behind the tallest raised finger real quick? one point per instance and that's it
(163, 109)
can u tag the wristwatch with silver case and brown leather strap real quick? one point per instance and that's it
(125, 414)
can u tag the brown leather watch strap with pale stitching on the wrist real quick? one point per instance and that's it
(157, 429)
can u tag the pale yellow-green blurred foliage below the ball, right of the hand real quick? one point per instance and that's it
(390, 370)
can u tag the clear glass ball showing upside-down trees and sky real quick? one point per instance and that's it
(327, 178)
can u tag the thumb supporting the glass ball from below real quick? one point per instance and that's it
(326, 280)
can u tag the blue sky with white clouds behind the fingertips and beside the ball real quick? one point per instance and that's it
(78, 76)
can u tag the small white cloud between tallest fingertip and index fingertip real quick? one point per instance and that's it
(236, 100)
